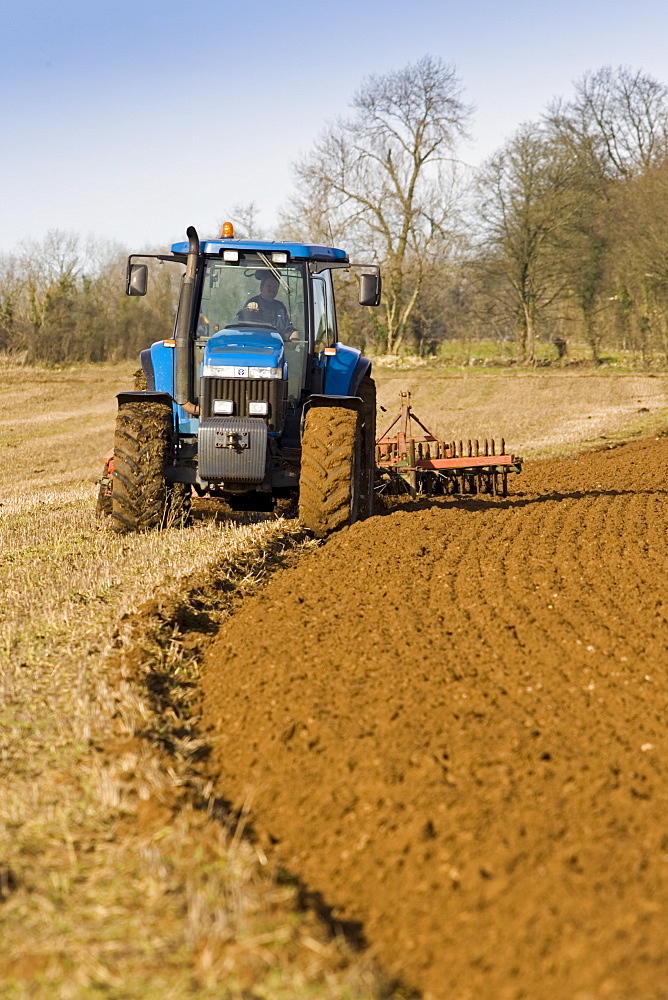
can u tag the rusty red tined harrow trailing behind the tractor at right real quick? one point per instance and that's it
(414, 460)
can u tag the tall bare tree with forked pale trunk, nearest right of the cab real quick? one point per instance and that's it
(382, 181)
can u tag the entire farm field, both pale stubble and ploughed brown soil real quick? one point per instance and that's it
(424, 756)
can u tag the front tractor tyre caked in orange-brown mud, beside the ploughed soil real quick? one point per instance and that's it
(331, 467)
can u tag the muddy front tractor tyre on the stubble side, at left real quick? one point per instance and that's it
(140, 495)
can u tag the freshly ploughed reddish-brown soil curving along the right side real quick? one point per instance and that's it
(450, 721)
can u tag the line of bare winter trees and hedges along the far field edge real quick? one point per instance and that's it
(561, 237)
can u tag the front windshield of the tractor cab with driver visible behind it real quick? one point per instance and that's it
(252, 292)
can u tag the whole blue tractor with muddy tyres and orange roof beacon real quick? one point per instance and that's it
(253, 399)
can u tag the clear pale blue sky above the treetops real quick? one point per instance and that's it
(132, 120)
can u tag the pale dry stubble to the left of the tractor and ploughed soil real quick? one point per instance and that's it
(119, 875)
